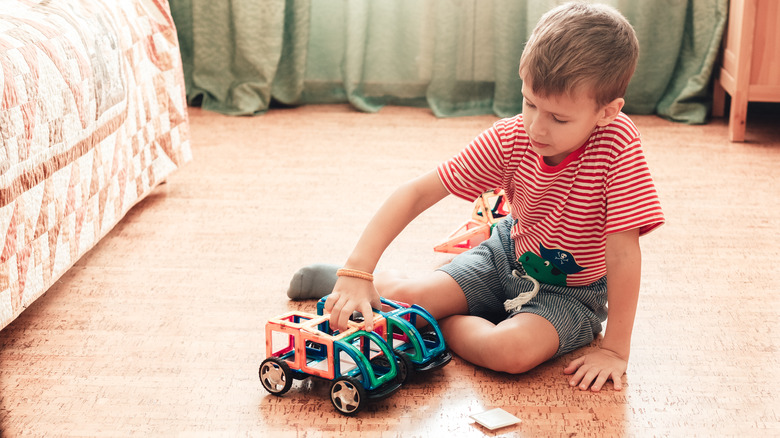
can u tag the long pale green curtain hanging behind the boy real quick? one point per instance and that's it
(458, 57)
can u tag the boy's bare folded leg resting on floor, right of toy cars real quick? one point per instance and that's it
(515, 345)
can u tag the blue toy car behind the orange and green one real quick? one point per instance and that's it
(426, 351)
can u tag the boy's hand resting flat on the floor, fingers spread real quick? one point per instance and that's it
(594, 369)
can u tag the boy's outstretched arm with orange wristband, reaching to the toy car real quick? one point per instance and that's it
(406, 203)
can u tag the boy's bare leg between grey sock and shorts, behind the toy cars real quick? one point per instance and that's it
(437, 292)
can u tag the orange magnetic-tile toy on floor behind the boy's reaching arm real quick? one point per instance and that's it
(489, 208)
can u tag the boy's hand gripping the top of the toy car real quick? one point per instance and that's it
(350, 295)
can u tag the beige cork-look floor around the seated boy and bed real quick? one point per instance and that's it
(158, 331)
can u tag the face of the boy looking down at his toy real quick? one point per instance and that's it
(559, 125)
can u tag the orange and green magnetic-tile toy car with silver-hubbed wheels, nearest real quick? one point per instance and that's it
(359, 363)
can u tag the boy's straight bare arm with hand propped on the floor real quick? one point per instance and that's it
(624, 260)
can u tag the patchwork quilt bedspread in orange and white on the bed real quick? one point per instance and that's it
(92, 117)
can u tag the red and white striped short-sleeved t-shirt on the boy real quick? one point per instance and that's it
(604, 187)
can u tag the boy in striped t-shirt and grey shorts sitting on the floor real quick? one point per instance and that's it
(573, 170)
